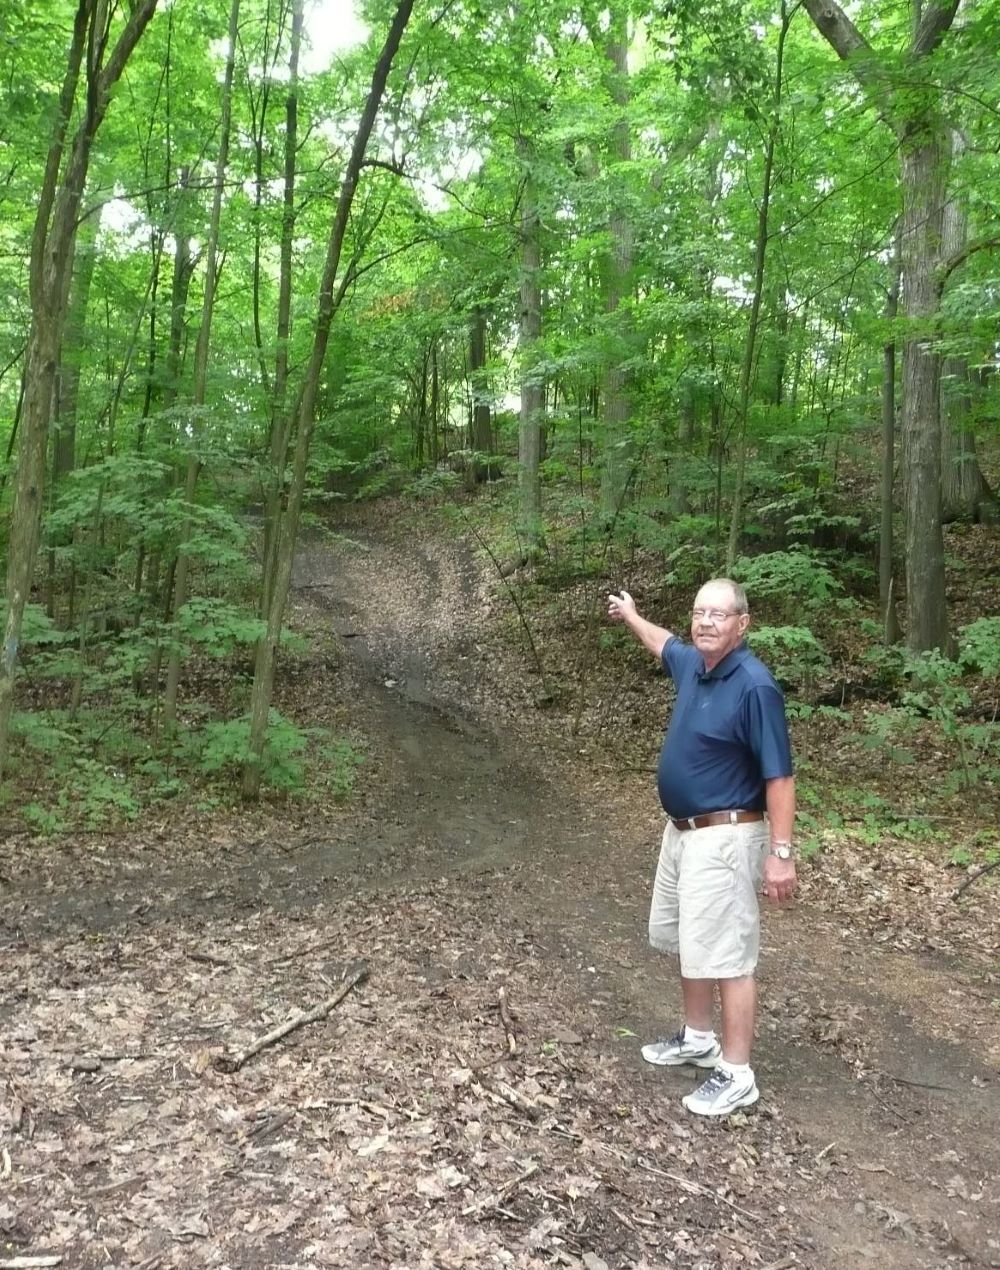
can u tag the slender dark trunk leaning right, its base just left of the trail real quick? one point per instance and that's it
(288, 528)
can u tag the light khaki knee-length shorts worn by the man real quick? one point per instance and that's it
(706, 906)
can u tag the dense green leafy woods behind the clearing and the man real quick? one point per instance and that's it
(712, 285)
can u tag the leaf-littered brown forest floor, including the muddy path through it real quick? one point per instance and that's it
(478, 1099)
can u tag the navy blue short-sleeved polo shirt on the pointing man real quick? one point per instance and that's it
(727, 736)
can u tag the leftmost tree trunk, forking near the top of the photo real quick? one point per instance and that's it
(54, 242)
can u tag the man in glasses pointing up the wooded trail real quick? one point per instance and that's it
(726, 784)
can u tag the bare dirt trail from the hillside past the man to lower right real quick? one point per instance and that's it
(855, 1050)
